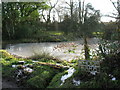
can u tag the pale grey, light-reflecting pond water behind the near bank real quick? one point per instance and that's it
(59, 50)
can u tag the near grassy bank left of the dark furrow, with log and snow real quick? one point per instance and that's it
(42, 70)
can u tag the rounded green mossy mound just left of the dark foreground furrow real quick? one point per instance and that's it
(41, 76)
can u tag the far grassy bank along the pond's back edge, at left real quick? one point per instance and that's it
(43, 36)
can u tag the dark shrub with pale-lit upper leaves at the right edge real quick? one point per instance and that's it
(111, 56)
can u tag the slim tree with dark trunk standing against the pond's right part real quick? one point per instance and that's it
(88, 16)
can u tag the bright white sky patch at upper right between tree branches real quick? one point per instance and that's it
(105, 7)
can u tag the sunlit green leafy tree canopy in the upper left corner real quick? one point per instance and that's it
(16, 13)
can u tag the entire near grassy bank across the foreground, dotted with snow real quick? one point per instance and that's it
(46, 73)
